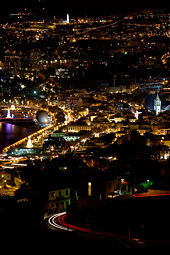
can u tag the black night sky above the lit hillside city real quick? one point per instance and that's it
(83, 7)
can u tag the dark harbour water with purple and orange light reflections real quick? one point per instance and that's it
(10, 133)
